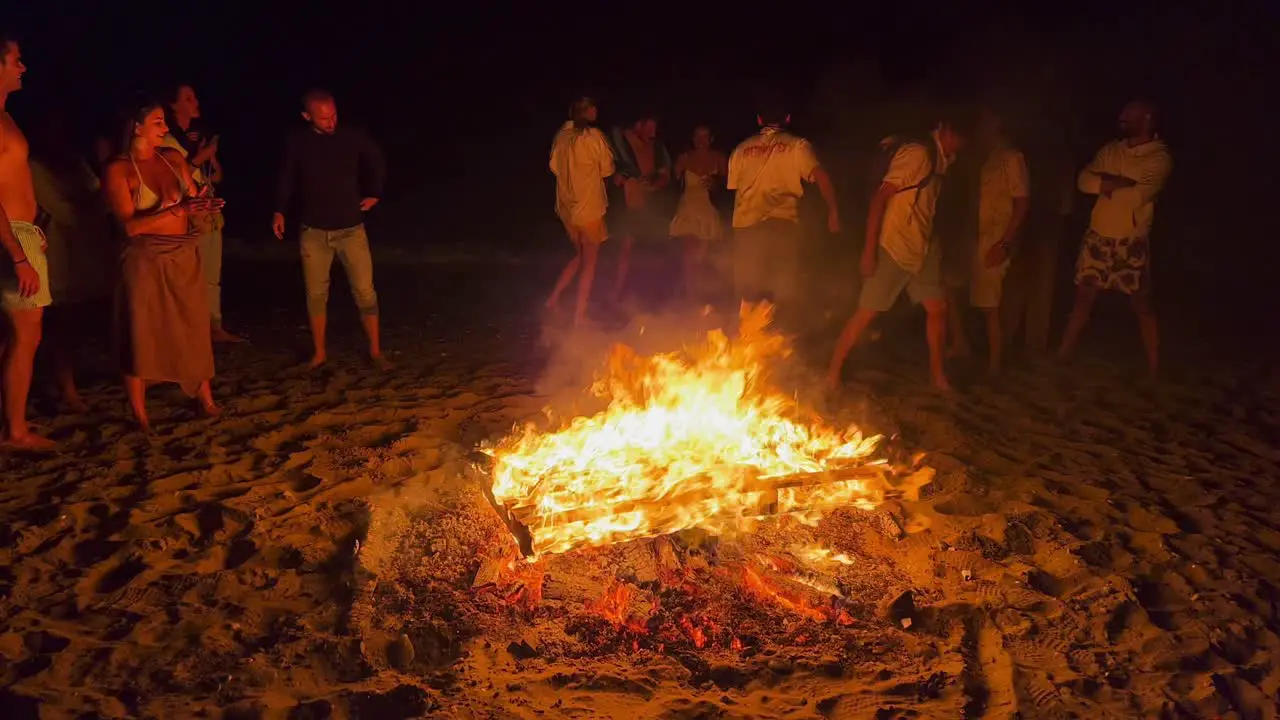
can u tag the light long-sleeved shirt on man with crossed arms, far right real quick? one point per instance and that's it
(1131, 211)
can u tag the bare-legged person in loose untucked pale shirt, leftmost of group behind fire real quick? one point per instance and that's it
(580, 160)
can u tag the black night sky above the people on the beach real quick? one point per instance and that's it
(467, 97)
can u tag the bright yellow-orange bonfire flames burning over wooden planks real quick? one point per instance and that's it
(692, 439)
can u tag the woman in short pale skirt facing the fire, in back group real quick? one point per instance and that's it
(698, 222)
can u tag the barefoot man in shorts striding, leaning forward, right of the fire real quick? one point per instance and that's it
(900, 253)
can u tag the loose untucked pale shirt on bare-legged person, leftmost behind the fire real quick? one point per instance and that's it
(580, 160)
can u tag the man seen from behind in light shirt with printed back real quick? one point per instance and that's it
(769, 172)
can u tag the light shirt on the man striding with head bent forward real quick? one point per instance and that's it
(908, 224)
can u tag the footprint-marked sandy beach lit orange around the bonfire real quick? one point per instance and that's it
(1090, 546)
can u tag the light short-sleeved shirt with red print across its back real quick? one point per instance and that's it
(769, 171)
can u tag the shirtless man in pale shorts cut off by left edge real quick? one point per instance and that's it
(24, 271)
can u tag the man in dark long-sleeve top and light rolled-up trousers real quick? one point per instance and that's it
(323, 170)
